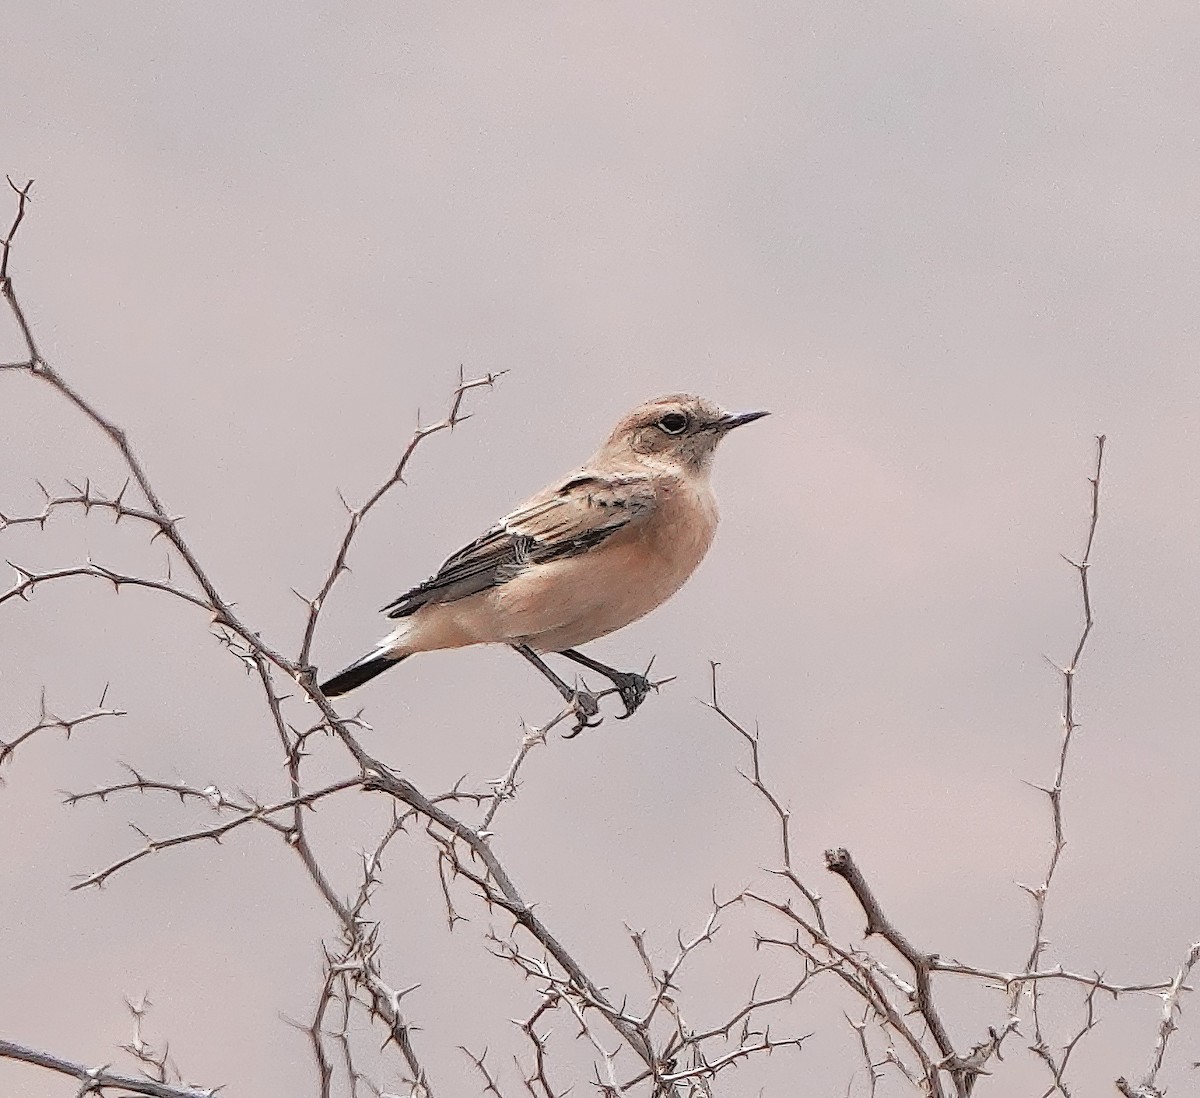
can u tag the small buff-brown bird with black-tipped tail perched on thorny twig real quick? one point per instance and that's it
(589, 555)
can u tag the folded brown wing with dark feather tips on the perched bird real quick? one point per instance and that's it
(565, 521)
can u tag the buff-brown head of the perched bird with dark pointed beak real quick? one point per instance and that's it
(679, 429)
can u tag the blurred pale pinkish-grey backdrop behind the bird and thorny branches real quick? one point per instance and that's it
(946, 244)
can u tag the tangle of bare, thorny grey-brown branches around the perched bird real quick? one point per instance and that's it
(902, 1030)
